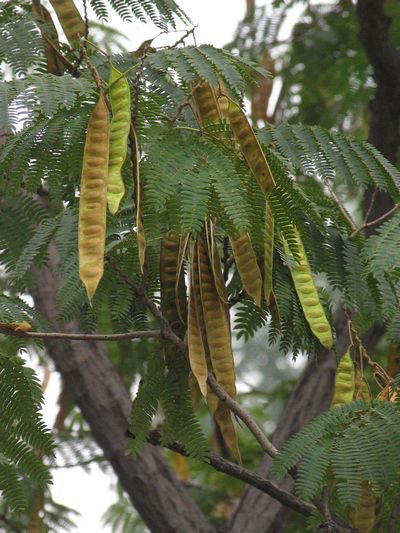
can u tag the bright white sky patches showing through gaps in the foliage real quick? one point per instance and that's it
(91, 494)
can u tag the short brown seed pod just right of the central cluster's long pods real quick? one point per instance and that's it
(246, 263)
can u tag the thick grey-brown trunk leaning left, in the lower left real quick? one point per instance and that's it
(98, 390)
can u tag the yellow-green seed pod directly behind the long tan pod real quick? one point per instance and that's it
(120, 98)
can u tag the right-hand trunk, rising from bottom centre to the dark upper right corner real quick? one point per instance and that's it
(257, 512)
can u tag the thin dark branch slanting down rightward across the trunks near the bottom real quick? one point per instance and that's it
(223, 465)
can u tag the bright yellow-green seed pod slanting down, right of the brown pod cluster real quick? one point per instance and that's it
(308, 296)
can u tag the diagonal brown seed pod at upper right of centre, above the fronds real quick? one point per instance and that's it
(251, 148)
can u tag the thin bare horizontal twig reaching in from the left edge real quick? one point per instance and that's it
(81, 336)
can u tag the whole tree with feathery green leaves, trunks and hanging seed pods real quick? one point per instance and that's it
(214, 222)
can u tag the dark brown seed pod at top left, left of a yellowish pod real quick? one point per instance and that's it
(50, 38)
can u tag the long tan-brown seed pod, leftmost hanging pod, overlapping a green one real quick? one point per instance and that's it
(93, 199)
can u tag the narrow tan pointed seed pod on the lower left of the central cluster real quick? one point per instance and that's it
(197, 356)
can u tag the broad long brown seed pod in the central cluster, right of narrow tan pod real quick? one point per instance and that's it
(216, 318)
